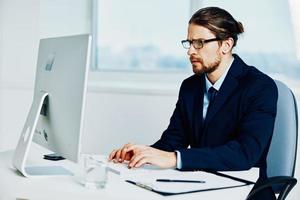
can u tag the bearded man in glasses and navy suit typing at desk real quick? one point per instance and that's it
(225, 112)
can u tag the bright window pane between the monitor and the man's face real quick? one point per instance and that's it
(140, 35)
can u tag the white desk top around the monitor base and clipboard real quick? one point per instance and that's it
(13, 185)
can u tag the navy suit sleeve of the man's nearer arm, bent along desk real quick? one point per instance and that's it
(253, 139)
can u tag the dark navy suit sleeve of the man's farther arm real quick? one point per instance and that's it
(174, 137)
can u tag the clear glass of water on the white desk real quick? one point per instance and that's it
(95, 173)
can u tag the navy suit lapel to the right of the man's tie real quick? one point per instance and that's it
(228, 87)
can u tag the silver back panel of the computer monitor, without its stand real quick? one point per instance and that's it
(61, 72)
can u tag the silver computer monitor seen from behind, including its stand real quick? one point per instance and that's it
(55, 119)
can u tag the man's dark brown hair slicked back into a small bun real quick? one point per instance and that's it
(219, 22)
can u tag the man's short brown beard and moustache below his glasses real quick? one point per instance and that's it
(206, 68)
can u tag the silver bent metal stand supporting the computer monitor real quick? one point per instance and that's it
(22, 149)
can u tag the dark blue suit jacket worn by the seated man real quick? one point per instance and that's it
(237, 130)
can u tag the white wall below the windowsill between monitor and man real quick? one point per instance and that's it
(123, 118)
